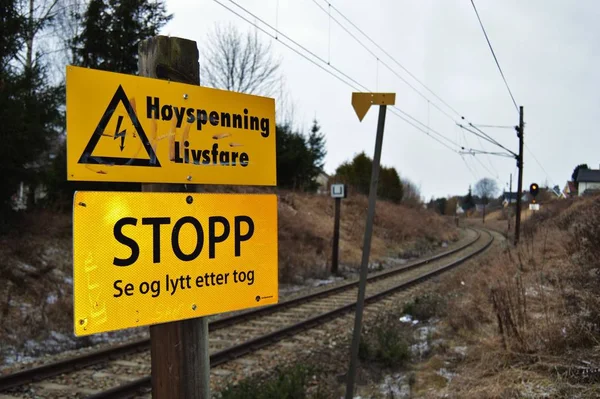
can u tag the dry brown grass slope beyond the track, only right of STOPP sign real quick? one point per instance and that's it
(306, 231)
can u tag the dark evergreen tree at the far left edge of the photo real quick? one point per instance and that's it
(30, 116)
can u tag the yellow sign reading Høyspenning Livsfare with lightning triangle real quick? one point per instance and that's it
(133, 129)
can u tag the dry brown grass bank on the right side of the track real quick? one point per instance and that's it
(531, 315)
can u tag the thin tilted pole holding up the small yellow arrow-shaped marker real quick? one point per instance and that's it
(366, 252)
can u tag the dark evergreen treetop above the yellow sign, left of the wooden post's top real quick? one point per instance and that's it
(112, 29)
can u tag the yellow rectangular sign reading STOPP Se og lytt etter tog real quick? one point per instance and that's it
(147, 258)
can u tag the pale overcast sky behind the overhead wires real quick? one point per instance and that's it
(548, 49)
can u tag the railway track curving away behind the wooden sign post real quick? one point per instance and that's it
(124, 369)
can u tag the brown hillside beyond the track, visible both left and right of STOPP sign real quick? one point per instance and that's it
(36, 263)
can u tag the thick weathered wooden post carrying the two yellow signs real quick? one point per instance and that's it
(179, 350)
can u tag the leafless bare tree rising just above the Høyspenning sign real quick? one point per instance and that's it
(237, 62)
